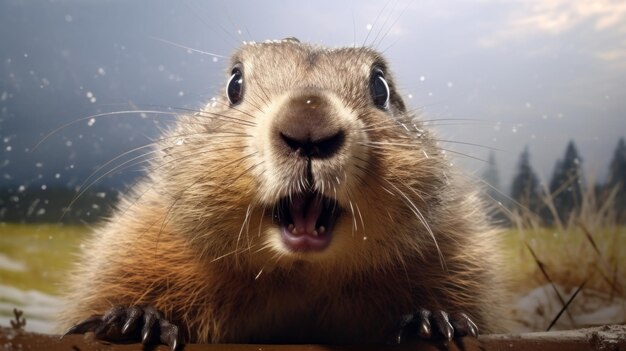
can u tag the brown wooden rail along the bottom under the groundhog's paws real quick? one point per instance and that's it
(605, 338)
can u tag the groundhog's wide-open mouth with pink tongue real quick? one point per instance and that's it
(306, 221)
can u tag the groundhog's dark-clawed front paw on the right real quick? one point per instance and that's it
(434, 325)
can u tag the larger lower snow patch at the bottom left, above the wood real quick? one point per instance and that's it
(40, 310)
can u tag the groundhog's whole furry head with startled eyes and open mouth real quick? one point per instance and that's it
(308, 155)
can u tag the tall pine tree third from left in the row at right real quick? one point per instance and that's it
(566, 184)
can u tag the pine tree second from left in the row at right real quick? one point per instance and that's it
(524, 189)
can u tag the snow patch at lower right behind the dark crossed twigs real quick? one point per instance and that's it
(537, 308)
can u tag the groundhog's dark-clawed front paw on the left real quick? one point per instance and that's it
(143, 324)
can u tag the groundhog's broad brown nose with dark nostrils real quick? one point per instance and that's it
(309, 126)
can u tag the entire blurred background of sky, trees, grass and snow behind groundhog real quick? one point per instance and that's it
(530, 97)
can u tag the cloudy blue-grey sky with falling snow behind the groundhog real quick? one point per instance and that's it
(518, 73)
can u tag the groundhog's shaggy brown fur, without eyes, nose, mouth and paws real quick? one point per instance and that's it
(197, 241)
